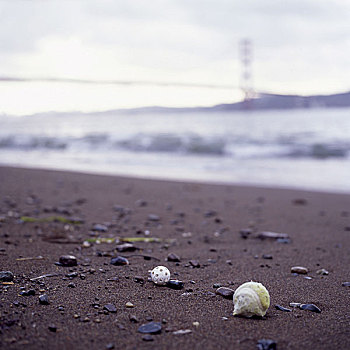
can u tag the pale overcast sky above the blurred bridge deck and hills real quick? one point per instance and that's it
(299, 46)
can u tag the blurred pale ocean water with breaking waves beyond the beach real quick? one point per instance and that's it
(305, 148)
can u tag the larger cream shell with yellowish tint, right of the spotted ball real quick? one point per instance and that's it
(251, 299)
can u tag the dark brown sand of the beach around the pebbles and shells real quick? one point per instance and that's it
(205, 221)
